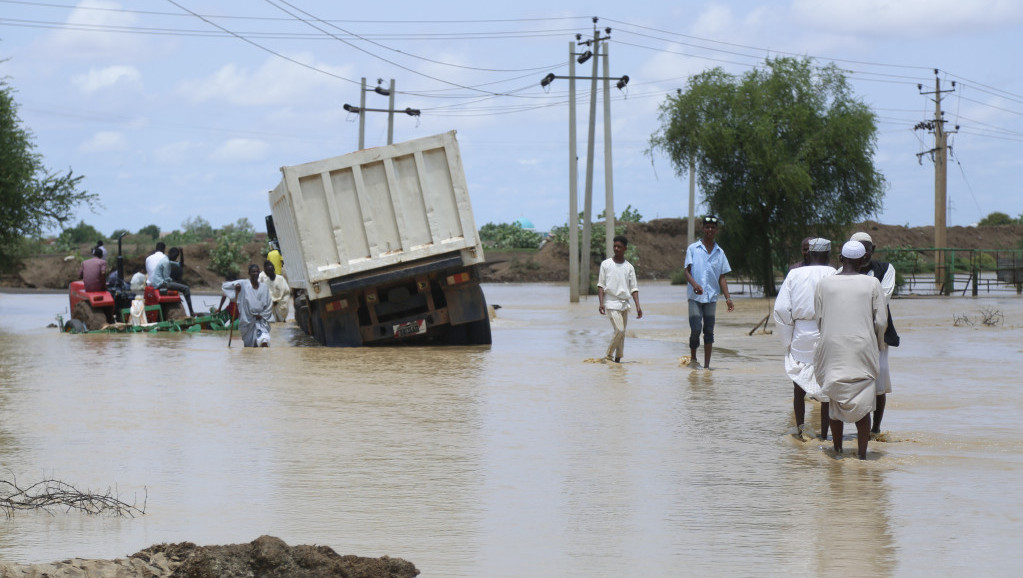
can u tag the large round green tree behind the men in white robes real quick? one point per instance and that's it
(783, 153)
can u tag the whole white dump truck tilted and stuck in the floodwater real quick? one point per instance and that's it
(381, 247)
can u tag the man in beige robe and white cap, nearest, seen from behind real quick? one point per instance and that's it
(852, 319)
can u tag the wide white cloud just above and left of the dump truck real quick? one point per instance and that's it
(277, 82)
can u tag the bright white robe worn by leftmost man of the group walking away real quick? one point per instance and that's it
(796, 324)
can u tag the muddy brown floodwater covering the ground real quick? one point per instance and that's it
(522, 459)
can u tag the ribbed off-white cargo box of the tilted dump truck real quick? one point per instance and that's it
(374, 209)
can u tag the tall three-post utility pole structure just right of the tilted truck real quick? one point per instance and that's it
(580, 256)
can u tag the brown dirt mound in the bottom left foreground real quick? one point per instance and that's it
(264, 558)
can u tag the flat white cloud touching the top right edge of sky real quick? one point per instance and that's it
(907, 18)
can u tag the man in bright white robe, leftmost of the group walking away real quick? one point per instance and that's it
(796, 324)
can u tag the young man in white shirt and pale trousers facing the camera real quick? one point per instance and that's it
(614, 286)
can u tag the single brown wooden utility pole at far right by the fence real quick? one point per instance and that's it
(941, 156)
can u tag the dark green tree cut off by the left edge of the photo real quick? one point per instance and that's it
(34, 199)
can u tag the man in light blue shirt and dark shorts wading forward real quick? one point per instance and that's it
(706, 266)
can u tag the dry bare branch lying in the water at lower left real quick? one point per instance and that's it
(50, 495)
